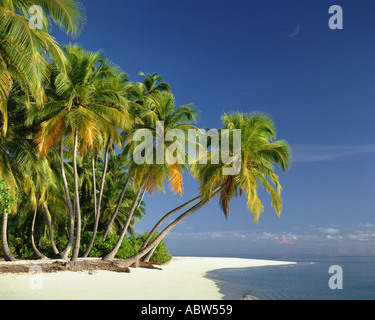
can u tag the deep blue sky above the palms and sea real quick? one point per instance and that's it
(317, 85)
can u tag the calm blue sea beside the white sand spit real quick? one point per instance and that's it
(306, 280)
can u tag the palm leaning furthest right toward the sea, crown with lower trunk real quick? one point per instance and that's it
(258, 153)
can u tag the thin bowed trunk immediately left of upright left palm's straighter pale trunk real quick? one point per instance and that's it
(65, 253)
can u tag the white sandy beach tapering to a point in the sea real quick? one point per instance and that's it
(181, 279)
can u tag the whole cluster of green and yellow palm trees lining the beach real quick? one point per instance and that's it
(68, 118)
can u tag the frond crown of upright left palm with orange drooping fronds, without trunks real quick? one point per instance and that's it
(84, 102)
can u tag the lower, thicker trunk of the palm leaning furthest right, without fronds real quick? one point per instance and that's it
(135, 258)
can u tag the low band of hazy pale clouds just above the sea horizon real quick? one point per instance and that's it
(359, 239)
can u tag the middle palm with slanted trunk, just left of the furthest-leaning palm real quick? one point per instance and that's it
(158, 107)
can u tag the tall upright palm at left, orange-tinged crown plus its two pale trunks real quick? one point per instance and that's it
(81, 107)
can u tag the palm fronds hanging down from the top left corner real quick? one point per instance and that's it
(22, 48)
